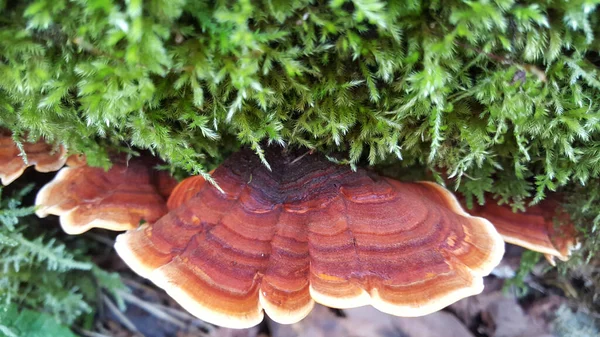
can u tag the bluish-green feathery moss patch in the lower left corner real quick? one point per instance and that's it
(46, 283)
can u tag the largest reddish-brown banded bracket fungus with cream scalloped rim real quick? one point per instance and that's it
(310, 230)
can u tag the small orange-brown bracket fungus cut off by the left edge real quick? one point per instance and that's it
(44, 157)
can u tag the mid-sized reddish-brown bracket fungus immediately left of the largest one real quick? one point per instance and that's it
(85, 197)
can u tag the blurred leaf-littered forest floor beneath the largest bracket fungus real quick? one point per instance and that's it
(549, 308)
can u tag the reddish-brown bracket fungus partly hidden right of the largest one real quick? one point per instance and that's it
(544, 227)
